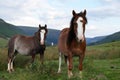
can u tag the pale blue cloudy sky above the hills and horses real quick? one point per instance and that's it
(103, 15)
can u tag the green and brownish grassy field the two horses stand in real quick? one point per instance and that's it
(102, 62)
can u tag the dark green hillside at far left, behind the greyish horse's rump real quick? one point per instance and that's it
(7, 30)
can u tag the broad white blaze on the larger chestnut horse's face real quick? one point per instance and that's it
(79, 28)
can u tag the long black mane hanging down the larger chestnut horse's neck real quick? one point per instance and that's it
(71, 34)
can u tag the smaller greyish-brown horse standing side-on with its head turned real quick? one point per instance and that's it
(27, 45)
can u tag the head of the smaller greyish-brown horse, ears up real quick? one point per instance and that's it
(41, 34)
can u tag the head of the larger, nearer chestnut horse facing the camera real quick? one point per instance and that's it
(78, 23)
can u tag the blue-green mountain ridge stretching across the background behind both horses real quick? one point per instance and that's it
(7, 30)
